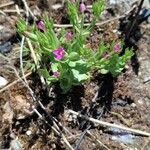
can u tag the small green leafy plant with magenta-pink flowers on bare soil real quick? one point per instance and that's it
(65, 57)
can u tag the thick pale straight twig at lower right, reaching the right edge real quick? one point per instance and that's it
(103, 123)
